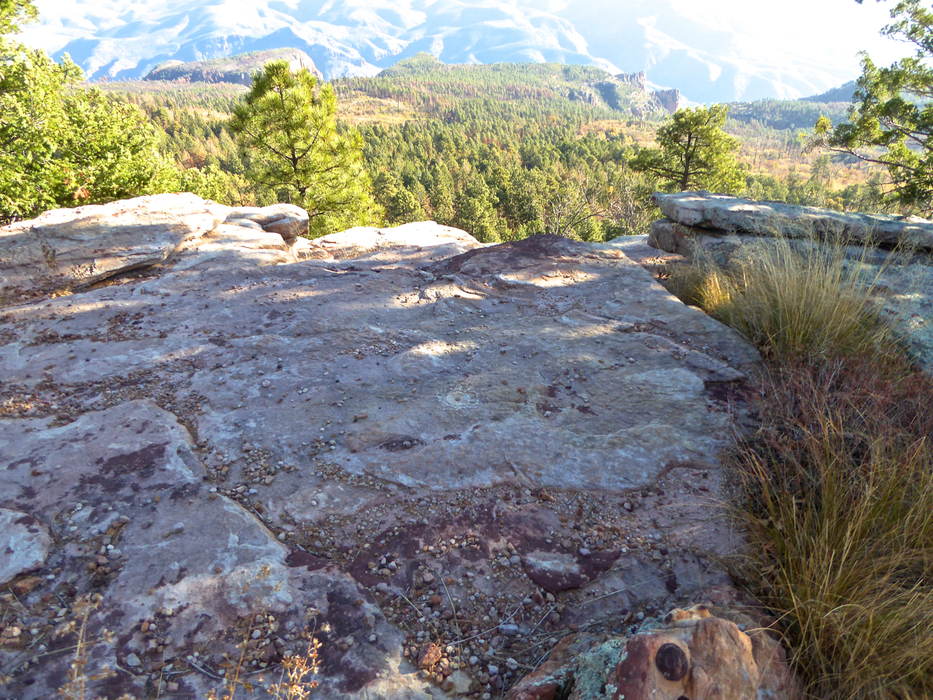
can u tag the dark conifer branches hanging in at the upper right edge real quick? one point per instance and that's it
(891, 119)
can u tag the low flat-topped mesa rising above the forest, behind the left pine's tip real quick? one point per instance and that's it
(234, 69)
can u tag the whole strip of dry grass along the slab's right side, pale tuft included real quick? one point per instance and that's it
(836, 487)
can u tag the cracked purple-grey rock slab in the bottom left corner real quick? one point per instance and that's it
(178, 567)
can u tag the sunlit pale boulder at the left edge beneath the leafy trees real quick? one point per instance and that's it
(73, 249)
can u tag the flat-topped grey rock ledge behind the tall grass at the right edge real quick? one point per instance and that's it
(894, 254)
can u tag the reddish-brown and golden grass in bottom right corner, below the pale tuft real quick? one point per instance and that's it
(837, 491)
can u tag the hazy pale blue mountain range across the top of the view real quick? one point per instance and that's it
(694, 52)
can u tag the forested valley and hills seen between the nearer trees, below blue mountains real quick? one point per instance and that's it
(502, 151)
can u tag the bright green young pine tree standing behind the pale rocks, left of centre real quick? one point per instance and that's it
(287, 130)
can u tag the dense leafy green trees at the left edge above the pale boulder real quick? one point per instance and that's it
(60, 146)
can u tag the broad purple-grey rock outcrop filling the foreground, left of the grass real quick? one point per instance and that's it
(434, 456)
